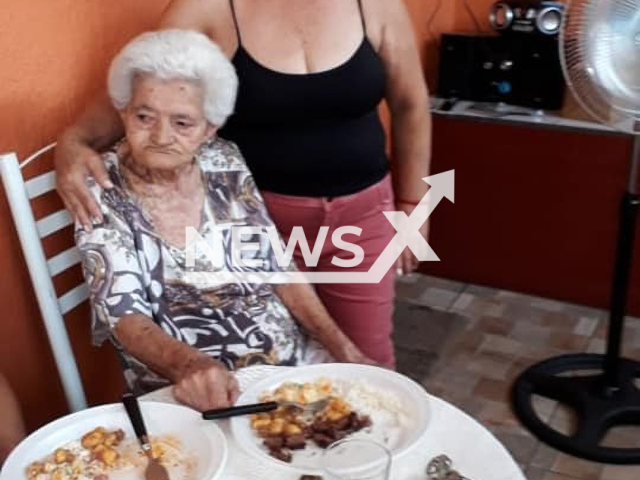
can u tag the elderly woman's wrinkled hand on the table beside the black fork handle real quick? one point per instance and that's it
(210, 386)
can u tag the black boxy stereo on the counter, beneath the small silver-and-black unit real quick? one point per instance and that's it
(521, 70)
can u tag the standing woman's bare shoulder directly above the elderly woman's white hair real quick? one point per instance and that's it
(211, 17)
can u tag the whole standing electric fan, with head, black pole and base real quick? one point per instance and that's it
(600, 53)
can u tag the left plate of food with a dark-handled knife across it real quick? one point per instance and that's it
(99, 444)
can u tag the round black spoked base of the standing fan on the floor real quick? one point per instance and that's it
(570, 380)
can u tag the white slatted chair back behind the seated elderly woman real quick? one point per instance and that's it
(42, 270)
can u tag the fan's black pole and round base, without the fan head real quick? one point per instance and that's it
(604, 399)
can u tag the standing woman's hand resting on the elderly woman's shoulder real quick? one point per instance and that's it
(75, 161)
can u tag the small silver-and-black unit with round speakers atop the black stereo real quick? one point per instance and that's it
(540, 17)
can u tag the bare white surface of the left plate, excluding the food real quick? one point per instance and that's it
(200, 439)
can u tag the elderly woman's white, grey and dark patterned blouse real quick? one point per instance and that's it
(130, 269)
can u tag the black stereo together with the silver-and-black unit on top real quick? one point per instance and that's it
(520, 66)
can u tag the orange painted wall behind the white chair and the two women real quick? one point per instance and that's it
(54, 55)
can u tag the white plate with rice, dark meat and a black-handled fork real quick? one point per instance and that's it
(362, 401)
